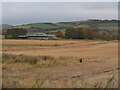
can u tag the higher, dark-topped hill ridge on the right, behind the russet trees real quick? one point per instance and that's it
(101, 25)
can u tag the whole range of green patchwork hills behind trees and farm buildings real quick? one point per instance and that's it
(105, 25)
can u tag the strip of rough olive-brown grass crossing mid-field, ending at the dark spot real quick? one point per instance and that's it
(40, 61)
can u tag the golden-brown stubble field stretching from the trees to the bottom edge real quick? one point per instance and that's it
(60, 63)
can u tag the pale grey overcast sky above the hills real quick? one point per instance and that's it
(20, 12)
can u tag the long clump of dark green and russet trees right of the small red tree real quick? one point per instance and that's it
(87, 33)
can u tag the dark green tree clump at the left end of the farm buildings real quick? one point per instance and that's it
(13, 33)
